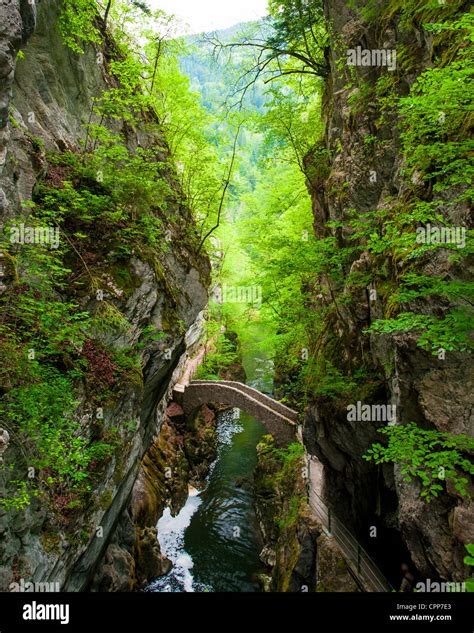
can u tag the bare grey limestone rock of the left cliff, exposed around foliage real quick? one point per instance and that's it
(48, 94)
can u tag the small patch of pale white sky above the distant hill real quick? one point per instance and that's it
(210, 15)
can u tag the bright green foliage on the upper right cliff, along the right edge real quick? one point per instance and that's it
(437, 147)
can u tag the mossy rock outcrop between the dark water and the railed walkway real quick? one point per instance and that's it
(299, 555)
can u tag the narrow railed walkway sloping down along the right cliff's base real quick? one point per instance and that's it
(362, 566)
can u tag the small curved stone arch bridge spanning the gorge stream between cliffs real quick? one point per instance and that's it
(279, 420)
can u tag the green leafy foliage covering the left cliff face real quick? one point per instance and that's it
(57, 335)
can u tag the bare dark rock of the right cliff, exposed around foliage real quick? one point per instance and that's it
(433, 393)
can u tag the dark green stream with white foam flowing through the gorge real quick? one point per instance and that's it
(214, 542)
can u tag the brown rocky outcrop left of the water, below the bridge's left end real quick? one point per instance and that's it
(179, 456)
